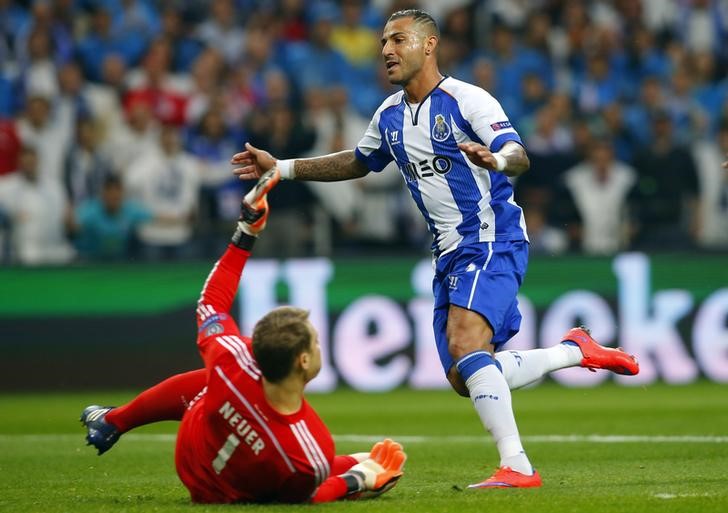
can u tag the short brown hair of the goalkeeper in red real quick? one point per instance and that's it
(278, 338)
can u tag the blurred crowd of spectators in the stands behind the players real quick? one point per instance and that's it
(118, 119)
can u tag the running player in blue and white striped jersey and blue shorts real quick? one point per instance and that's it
(455, 148)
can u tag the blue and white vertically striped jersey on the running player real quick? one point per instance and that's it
(461, 202)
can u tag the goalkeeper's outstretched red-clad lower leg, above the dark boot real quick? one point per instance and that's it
(166, 401)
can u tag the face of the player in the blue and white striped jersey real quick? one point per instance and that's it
(403, 49)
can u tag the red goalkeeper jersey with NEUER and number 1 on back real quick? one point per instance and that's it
(232, 445)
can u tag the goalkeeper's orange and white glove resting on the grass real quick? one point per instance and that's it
(378, 473)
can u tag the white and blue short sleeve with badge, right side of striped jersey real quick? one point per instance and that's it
(488, 120)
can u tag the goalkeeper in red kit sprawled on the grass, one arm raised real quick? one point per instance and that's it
(247, 432)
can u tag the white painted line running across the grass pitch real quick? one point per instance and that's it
(605, 439)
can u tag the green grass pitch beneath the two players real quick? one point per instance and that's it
(44, 466)
